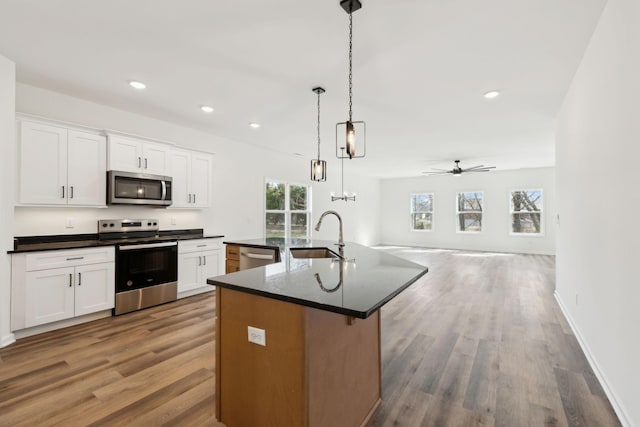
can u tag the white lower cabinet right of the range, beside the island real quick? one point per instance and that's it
(197, 261)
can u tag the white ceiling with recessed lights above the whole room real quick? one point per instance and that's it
(420, 70)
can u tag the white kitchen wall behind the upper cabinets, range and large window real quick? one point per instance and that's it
(238, 179)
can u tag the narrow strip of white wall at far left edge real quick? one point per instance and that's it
(7, 128)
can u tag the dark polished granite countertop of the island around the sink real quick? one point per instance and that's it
(357, 287)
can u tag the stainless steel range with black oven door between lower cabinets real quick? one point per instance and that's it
(146, 264)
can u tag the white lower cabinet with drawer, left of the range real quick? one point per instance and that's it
(57, 285)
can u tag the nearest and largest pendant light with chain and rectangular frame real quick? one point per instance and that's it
(354, 131)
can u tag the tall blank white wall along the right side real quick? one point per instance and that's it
(598, 151)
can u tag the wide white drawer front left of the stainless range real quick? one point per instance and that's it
(68, 258)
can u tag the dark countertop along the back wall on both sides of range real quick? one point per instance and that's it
(74, 241)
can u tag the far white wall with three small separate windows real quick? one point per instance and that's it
(496, 226)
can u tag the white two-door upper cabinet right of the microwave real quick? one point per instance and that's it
(191, 172)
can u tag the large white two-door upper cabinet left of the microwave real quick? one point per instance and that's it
(60, 166)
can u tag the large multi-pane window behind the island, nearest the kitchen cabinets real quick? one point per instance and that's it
(287, 210)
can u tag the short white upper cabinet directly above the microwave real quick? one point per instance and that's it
(134, 155)
